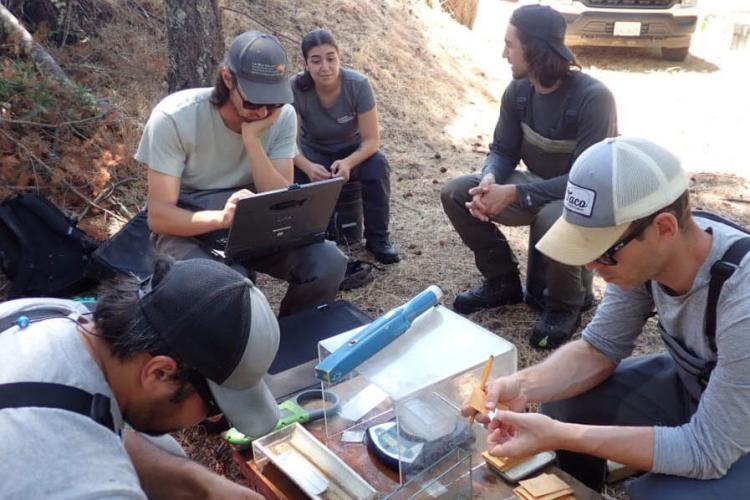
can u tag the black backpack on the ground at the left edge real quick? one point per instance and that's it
(42, 252)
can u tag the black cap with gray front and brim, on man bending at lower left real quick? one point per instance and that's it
(215, 321)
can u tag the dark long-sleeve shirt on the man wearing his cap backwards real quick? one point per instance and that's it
(595, 121)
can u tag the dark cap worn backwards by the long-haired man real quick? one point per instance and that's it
(543, 23)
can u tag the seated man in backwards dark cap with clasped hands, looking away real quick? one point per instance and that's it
(549, 114)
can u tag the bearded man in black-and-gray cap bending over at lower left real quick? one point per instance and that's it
(192, 340)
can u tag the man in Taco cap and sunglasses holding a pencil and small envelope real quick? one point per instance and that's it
(680, 416)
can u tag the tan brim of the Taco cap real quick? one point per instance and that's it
(577, 245)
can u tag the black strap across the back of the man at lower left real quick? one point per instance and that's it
(63, 397)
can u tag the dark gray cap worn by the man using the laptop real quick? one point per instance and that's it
(260, 64)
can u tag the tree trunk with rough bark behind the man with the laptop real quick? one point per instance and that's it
(195, 43)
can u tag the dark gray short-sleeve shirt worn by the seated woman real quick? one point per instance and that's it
(335, 128)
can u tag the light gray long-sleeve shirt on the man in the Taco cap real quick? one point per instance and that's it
(717, 434)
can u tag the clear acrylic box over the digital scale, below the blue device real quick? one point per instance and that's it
(415, 388)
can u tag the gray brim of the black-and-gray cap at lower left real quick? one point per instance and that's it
(253, 411)
